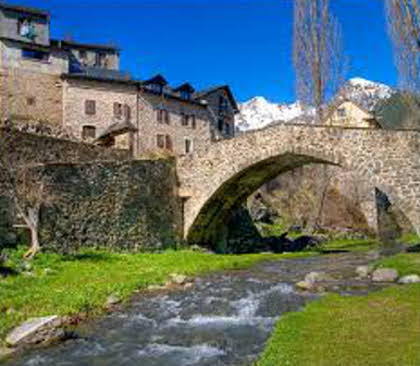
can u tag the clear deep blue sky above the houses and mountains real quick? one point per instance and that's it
(244, 43)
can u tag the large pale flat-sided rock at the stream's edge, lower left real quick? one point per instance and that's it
(43, 330)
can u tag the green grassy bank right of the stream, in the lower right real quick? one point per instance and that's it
(379, 329)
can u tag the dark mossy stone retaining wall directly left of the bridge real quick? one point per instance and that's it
(120, 206)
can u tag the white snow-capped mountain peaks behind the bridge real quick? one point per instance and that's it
(259, 112)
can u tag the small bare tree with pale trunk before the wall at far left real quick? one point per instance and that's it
(26, 189)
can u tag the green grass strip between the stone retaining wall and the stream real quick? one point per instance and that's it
(82, 283)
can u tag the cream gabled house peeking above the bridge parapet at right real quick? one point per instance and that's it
(349, 114)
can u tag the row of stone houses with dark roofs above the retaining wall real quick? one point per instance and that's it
(80, 88)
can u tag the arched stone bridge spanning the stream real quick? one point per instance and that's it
(216, 181)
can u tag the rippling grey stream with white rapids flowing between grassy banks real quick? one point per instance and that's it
(224, 319)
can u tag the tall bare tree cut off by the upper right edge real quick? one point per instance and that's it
(403, 18)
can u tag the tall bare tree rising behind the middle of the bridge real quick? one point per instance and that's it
(317, 53)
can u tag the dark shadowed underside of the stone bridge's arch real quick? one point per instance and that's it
(215, 213)
